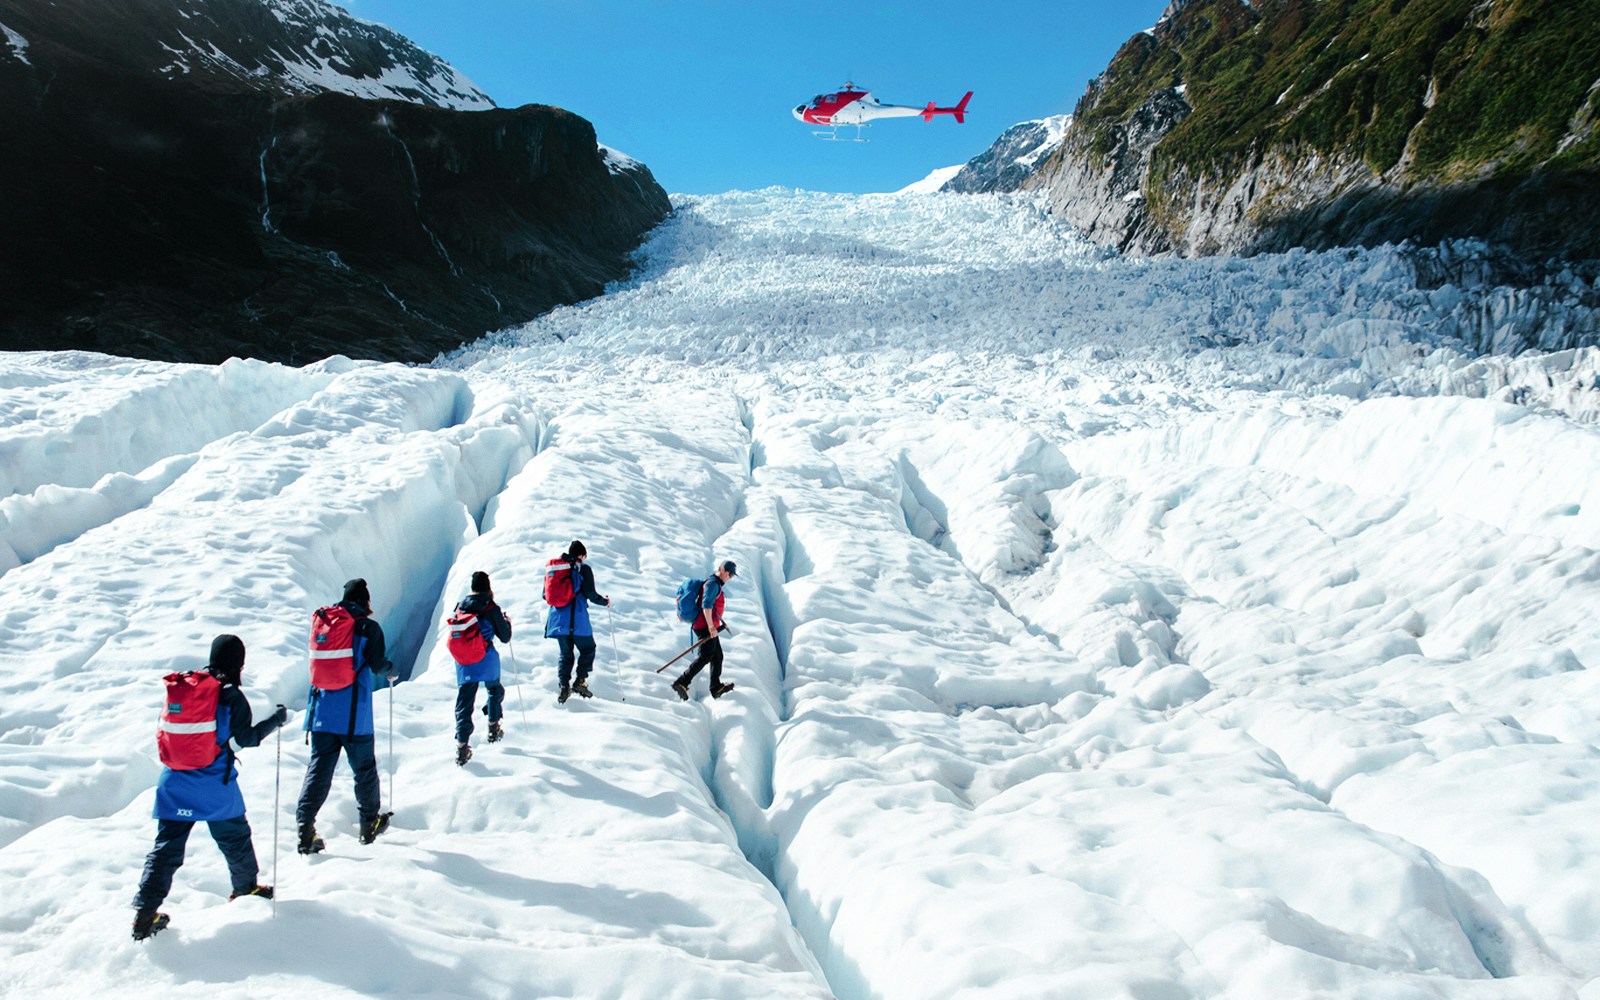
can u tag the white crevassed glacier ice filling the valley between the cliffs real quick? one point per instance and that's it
(1105, 628)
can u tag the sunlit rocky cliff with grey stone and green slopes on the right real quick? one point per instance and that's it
(1236, 127)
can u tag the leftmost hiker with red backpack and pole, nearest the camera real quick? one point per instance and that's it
(207, 719)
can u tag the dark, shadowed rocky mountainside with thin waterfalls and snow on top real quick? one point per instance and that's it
(279, 180)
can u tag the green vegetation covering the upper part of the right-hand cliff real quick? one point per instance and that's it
(1444, 90)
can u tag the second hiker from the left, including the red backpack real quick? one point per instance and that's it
(346, 655)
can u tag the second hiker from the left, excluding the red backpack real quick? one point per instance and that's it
(342, 721)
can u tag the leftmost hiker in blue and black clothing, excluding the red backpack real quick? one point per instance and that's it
(209, 794)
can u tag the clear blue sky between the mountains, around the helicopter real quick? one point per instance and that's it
(702, 90)
